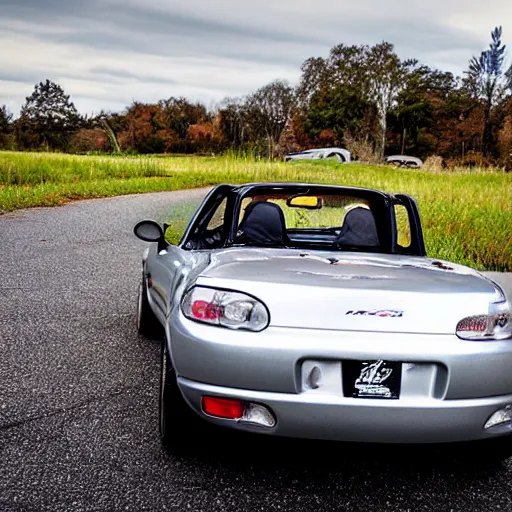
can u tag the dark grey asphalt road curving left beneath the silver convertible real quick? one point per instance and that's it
(78, 396)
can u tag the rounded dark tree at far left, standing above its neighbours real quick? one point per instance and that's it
(48, 118)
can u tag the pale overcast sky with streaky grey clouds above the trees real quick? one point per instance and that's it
(108, 53)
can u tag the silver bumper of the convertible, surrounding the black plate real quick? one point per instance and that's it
(449, 387)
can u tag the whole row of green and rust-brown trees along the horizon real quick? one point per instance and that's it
(364, 98)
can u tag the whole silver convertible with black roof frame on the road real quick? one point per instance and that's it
(312, 311)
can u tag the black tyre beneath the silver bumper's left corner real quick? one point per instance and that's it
(182, 432)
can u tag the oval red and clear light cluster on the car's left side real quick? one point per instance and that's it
(234, 310)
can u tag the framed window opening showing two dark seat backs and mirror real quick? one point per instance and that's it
(331, 221)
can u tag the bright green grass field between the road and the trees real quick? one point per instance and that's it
(467, 215)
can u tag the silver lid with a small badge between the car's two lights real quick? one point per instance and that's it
(353, 291)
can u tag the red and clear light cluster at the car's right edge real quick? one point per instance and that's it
(496, 325)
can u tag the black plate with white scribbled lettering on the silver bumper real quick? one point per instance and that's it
(372, 379)
